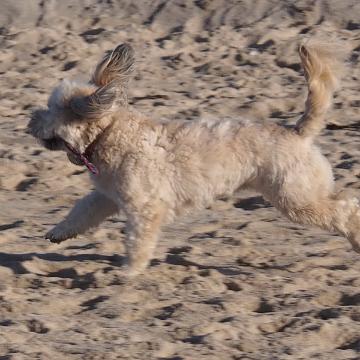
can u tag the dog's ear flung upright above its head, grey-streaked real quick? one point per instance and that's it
(116, 67)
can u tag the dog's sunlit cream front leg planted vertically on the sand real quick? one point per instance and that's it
(143, 228)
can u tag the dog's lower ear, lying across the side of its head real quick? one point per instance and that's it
(96, 105)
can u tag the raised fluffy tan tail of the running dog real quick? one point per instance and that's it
(322, 70)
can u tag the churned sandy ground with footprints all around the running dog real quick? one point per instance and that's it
(236, 281)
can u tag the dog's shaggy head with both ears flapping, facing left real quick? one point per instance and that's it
(76, 109)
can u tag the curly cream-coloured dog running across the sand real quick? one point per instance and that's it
(155, 170)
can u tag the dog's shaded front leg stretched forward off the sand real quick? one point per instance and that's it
(88, 212)
